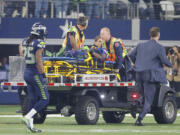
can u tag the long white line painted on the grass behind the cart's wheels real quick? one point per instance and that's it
(59, 115)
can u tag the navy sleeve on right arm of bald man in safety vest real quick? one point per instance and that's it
(118, 51)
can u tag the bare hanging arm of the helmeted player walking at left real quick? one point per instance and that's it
(39, 61)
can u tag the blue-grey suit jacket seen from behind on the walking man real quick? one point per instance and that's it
(150, 56)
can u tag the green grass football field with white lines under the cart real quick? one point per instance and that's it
(10, 124)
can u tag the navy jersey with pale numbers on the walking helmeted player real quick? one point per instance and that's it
(29, 50)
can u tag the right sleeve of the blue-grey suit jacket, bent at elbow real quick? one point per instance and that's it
(163, 58)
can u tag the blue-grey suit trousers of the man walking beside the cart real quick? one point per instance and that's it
(148, 88)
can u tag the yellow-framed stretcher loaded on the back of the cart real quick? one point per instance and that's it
(68, 67)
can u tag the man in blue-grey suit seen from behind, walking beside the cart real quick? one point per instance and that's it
(149, 59)
